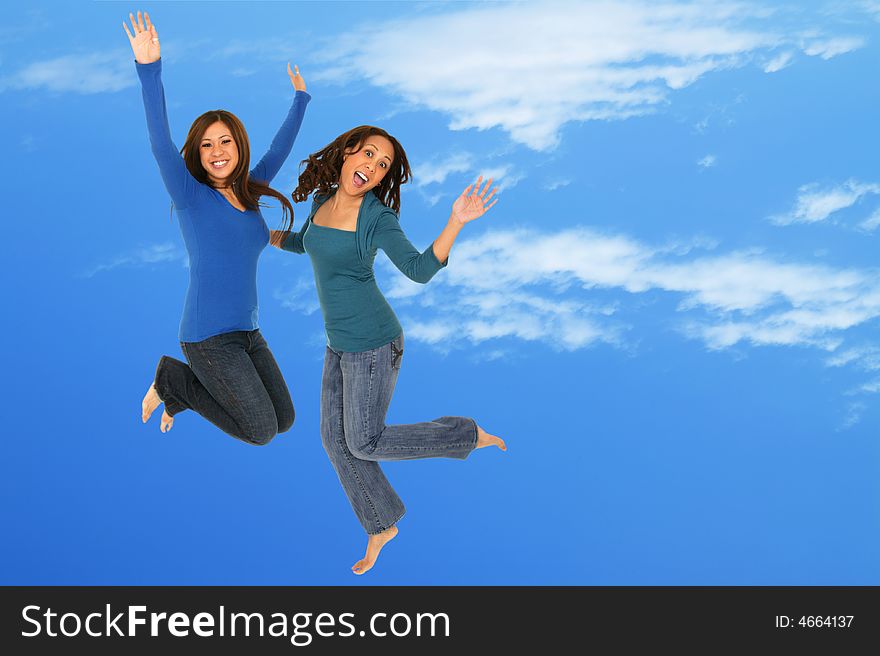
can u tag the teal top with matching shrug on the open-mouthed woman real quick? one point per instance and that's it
(356, 315)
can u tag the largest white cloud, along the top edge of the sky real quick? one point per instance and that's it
(591, 61)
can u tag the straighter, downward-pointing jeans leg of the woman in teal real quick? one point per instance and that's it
(374, 501)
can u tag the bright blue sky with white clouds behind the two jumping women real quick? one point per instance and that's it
(670, 315)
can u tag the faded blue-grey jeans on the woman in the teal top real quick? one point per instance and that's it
(356, 389)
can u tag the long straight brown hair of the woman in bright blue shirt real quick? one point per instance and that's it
(247, 190)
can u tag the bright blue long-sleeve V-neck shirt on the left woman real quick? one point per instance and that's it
(223, 243)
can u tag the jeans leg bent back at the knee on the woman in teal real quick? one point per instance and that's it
(368, 385)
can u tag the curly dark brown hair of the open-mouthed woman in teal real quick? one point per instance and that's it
(322, 169)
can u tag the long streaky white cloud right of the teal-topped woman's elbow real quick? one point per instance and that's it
(540, 286)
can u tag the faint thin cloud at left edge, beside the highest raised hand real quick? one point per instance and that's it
(86, 74)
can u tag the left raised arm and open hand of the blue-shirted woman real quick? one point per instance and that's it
(145, 45)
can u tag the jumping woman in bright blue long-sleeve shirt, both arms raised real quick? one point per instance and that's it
(232, 379)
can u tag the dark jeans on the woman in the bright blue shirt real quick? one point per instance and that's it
(233, 381)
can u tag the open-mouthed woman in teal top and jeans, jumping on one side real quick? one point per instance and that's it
(356, 185)
